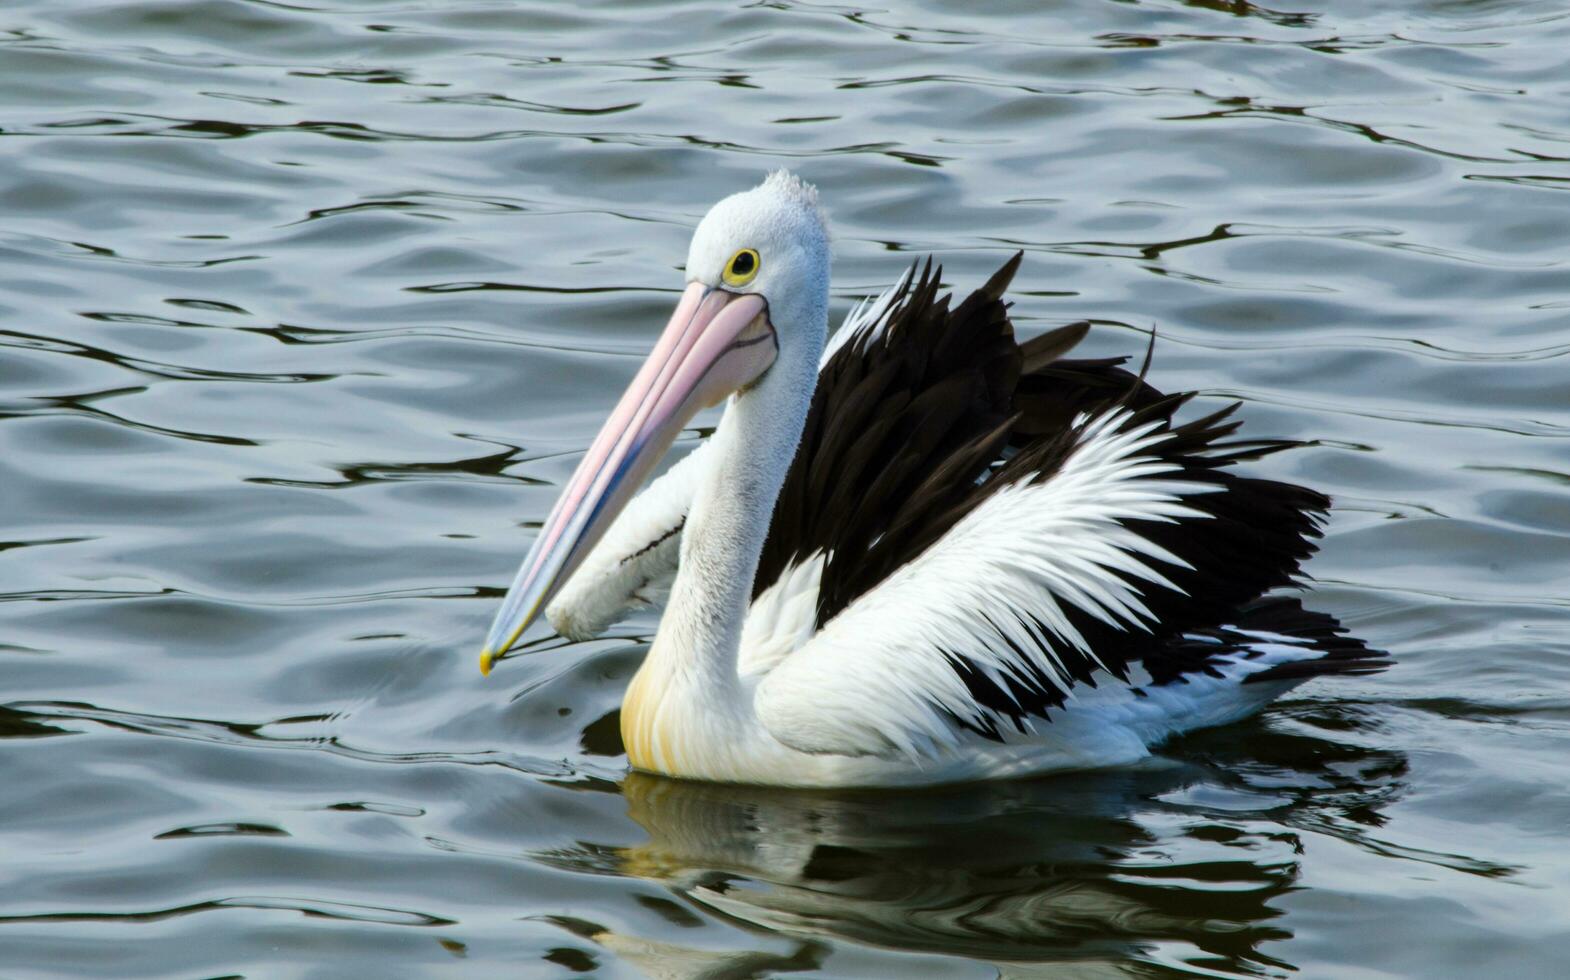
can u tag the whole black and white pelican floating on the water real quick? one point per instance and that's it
(921, 550)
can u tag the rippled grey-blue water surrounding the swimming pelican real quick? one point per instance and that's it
(307, 310)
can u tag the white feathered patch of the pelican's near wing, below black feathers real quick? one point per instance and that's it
(878, 679)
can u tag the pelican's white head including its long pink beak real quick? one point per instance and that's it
(756, 304)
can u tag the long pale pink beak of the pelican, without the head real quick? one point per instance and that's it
(717, 343)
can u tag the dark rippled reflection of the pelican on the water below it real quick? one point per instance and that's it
(1178, 860)
